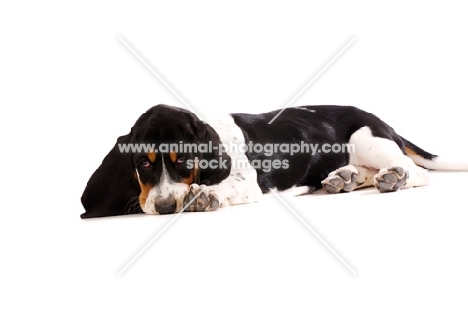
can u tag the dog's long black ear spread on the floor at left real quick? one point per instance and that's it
(112, 189)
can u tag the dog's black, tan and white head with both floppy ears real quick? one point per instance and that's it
(152, 167)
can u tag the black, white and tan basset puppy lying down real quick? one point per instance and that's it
(170, 156)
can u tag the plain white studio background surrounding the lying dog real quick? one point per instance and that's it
(69, 88)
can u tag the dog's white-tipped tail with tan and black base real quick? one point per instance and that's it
(431, 161)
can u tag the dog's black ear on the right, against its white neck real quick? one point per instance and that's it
(210, 176)
